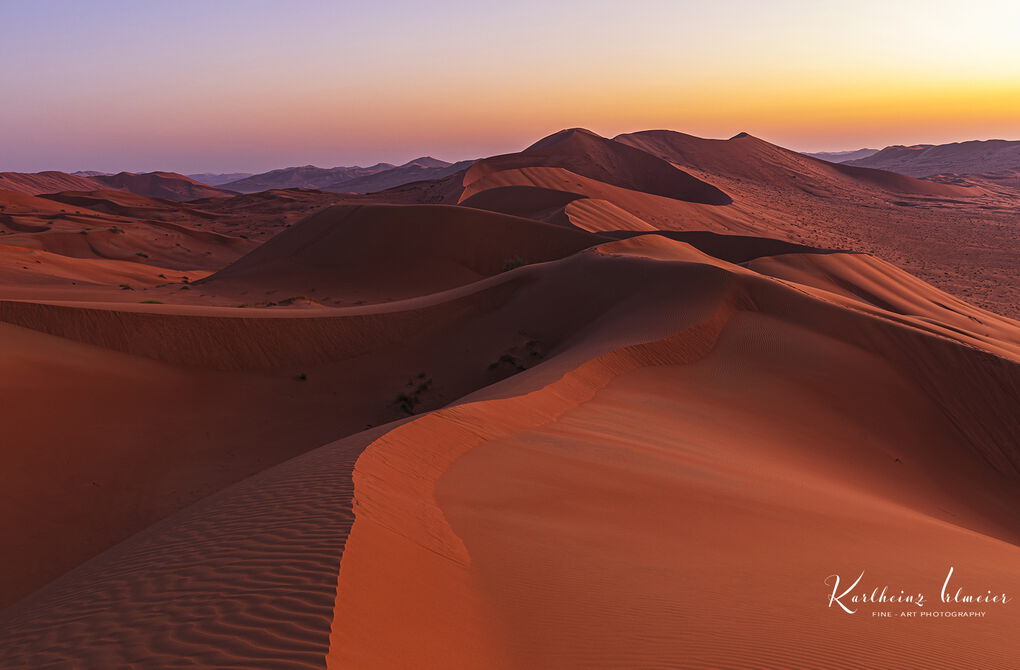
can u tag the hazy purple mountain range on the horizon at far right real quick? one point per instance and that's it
(959, 159)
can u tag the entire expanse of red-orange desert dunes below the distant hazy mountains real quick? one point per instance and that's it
(599, 404)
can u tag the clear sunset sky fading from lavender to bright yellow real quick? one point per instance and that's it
(197, 86)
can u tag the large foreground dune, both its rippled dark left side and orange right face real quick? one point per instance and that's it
(482, 532)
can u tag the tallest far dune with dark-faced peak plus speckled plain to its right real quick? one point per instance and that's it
(951, 235)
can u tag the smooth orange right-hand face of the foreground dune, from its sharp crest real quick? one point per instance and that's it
(521, 495)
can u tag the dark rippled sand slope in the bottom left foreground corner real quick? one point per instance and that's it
(244, 580)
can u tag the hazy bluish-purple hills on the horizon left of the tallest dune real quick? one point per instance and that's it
(348, 179)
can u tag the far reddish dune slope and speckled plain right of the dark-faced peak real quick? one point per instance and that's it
(947, 234)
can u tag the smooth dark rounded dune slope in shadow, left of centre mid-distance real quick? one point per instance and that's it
(386, 252)
